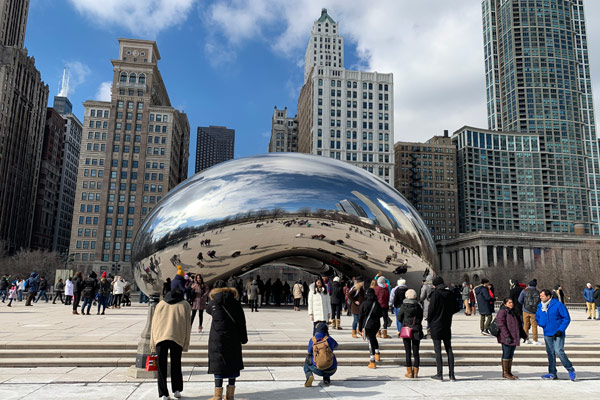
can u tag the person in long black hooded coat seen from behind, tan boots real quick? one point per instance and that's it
(227, 335)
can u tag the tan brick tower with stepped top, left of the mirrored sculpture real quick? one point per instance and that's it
(134, 149)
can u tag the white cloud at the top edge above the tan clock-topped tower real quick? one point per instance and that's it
(141, 17)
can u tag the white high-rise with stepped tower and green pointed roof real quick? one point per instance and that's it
(343, 114)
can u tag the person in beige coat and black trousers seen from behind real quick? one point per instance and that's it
(171, 330)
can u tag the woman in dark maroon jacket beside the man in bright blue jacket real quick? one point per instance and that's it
(511, 333)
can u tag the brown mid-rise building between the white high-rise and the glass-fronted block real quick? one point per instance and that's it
(426, 175)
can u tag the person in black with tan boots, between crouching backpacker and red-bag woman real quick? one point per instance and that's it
(369, 316)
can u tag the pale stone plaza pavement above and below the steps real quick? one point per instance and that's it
(47, 323)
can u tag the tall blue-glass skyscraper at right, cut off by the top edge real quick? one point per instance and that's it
(538, 83)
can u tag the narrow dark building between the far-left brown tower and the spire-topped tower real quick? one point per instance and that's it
(48, 190)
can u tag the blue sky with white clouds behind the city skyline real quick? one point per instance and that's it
(230, 62)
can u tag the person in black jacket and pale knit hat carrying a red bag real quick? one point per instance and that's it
(410, 314)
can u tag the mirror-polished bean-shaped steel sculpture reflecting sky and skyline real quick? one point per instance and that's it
(292, 209)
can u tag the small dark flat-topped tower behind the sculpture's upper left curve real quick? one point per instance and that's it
(214, 145)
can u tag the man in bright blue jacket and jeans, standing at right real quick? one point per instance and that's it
(553, 317)
